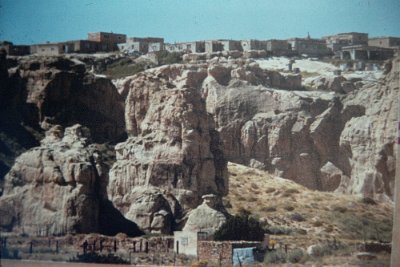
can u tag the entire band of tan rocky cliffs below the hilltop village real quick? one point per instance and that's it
(175, 127)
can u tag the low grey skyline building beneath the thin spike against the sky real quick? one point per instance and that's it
(309, 46)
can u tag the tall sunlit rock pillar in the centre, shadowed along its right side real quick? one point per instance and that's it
(173, 154)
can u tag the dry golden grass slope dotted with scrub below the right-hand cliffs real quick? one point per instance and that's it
(326, 215)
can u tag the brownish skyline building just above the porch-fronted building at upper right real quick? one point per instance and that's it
(337, 41)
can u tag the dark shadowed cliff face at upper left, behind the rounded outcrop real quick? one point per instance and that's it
(41, 92)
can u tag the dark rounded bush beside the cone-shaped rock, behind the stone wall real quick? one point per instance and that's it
(240, 227)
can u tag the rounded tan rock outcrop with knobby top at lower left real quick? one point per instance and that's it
(53, 189)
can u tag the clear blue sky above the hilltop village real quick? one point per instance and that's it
(37, 21)
